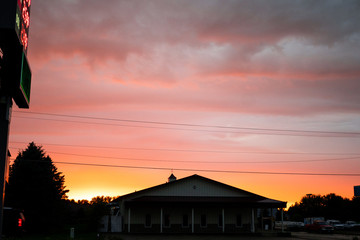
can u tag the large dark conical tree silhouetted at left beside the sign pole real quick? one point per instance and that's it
(36, 186)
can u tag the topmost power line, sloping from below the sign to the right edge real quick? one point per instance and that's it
(268, 131)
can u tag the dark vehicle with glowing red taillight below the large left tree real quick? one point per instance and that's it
(13, 221)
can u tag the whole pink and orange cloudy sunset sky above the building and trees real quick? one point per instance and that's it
(260, 95)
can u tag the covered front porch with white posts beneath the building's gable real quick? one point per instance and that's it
(156, 214)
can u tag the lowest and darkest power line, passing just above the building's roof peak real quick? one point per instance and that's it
(209, 170)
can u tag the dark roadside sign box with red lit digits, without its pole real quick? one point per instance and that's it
(14, 37)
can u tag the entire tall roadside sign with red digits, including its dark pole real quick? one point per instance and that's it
(15, 74)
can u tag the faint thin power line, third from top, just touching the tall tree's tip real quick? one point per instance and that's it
(192, 150)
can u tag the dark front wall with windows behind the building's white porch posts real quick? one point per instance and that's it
(206, 220)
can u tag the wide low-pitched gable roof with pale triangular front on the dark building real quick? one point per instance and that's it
(219, 192)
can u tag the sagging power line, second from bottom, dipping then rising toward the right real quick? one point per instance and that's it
(205, 162)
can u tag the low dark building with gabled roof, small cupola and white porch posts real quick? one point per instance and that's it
(193, 204)
